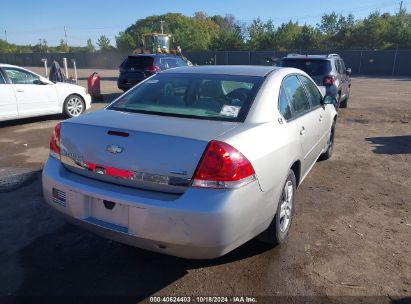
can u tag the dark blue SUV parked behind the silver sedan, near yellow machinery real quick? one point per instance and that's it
(138, 67)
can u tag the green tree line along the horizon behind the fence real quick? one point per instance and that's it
(200, 32)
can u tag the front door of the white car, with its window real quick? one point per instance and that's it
(33, 97)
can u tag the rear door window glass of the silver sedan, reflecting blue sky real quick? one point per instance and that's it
(296, 94)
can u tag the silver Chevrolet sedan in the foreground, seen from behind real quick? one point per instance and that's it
(193, 162)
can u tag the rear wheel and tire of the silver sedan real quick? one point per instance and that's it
(278, 230)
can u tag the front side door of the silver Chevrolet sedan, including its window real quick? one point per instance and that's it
(321, 118)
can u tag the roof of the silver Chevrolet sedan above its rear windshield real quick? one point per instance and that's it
(241, 70)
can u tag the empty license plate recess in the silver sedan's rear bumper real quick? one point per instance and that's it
(110, 212)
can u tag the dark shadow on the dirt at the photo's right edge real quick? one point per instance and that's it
(391, 145)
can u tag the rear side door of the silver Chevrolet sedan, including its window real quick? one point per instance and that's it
(306, 120)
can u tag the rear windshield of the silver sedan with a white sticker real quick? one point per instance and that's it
(213, 97)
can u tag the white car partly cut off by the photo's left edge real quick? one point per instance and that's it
(26, 94)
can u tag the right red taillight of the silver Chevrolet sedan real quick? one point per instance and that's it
(223, 167)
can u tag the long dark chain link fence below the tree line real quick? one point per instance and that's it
(362, 62)
